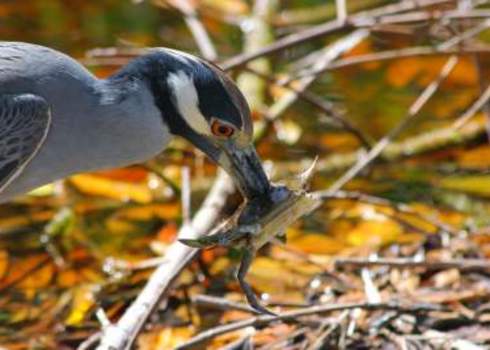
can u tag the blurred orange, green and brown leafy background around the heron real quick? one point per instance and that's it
(84, 242)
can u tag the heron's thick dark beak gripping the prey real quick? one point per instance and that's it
(244, 166)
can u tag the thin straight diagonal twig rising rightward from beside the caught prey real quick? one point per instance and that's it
(386, 140)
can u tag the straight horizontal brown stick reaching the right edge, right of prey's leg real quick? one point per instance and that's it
(460, 264)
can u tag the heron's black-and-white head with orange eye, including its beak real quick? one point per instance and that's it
(200, 103)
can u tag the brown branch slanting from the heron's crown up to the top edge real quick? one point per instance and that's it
(324, 29)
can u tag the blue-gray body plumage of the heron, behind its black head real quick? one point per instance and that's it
(91, 127)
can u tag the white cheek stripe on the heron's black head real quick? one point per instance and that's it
(187, 101)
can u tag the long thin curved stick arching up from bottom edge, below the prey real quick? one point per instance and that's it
(292, 316)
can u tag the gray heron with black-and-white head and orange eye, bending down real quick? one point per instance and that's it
(57, 119)
